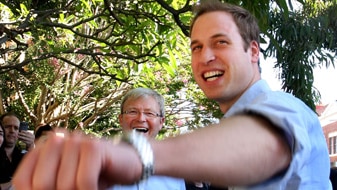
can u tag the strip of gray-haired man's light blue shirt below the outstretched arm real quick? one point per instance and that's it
(154, 183)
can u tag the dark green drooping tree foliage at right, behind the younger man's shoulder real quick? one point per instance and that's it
(300, 42)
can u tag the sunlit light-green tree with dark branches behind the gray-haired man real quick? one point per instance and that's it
(75, 61)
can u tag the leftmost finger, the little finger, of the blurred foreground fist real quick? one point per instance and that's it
(23, 175)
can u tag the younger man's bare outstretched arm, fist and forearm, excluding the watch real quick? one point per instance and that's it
(238, 151)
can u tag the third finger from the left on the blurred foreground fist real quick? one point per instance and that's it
(66, 178)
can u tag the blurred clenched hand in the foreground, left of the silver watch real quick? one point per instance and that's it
(77, 161)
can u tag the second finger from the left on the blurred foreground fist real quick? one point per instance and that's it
(46, 170)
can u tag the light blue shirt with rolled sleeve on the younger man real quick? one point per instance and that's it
(310, 165)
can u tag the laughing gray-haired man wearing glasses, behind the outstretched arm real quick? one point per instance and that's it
(143, 110)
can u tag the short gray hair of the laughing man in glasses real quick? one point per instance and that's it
(144, 92)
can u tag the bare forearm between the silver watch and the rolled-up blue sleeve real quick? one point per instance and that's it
(240, 150)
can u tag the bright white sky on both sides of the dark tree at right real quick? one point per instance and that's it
(325, 80)
